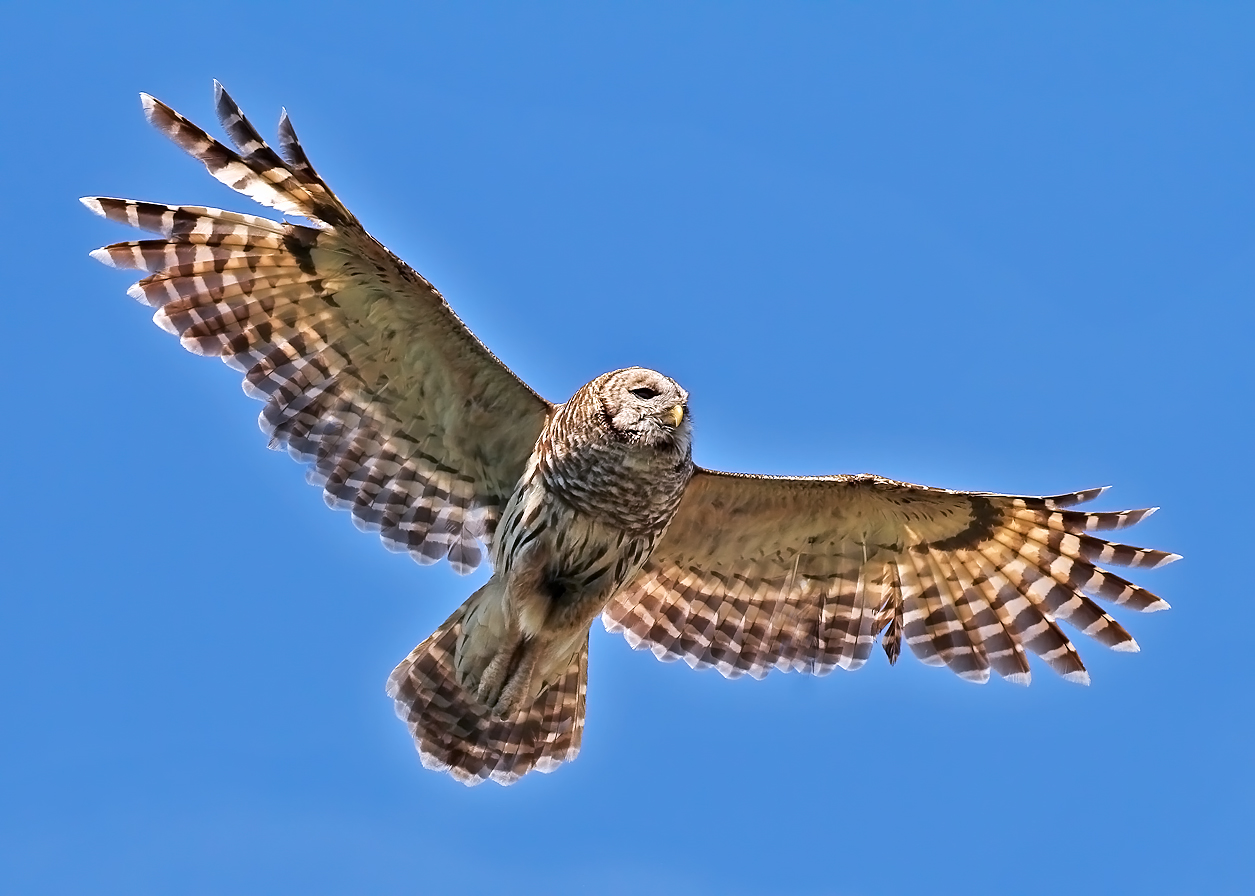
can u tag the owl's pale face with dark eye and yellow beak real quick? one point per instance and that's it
(647, 408)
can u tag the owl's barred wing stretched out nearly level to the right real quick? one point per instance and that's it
(803, 574)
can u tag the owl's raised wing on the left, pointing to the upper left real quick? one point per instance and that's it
(403, 416)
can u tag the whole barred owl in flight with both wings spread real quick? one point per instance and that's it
(590, 508)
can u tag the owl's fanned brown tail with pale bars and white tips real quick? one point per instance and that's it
(456, 733)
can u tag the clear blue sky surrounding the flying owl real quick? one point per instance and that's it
(990, 247)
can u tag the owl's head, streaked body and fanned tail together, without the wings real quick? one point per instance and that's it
(499, 688)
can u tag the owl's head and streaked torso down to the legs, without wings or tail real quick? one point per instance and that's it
(603, 484)
